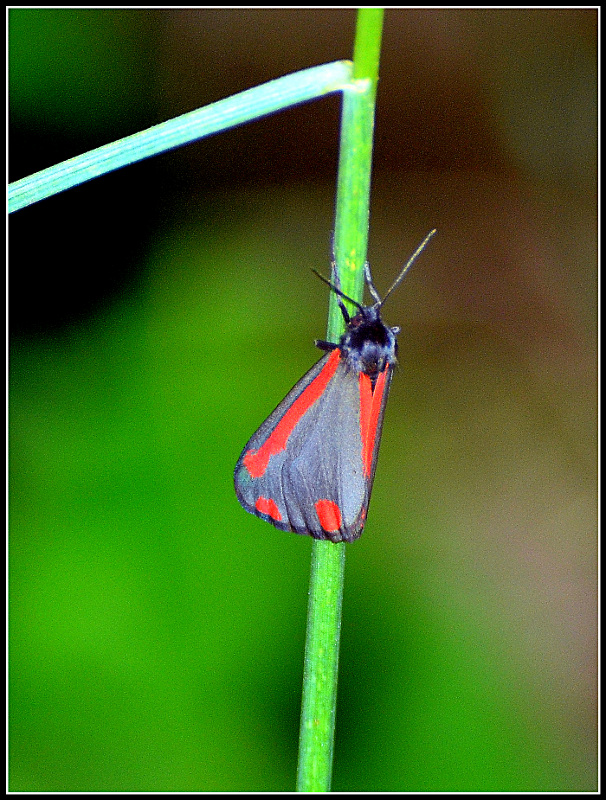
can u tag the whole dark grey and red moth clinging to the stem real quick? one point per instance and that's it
(309, 468)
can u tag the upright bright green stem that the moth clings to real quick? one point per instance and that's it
(328, 560)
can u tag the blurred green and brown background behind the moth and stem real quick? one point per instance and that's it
(160, 313)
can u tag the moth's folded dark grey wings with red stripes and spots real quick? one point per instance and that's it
(303, 469)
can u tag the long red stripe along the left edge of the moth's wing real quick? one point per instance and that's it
(256, 461)
